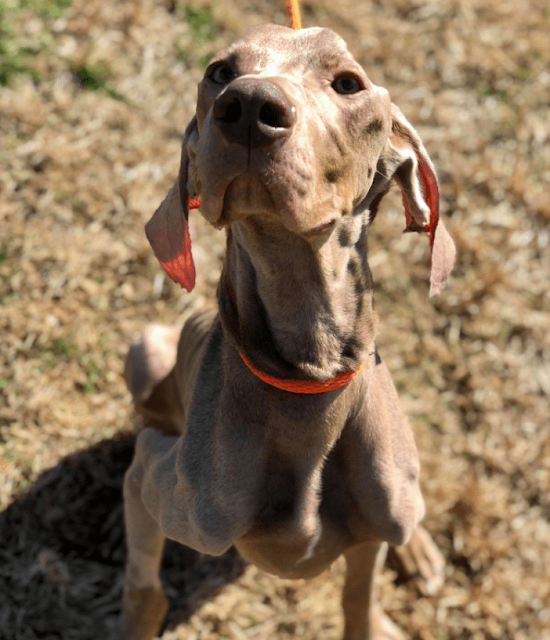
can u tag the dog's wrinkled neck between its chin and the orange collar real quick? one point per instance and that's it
(297, 308)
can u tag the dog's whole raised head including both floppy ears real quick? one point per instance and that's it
(288, 126)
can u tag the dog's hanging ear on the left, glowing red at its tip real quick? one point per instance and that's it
(168, 231)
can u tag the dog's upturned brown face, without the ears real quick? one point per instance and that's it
(288, 126)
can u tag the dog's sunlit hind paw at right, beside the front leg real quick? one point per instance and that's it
(419, 560)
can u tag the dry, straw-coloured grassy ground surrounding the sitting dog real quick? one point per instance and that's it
(94, 98)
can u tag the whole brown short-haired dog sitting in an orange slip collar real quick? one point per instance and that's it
(272, 425)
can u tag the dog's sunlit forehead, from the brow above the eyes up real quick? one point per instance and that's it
(273, 47)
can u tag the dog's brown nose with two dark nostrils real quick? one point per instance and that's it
(254, 113)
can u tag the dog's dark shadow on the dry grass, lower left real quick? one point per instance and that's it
(62, 553)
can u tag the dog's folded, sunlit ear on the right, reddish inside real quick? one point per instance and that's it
(416, 176)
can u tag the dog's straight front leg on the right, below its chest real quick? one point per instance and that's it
(363, 616)
